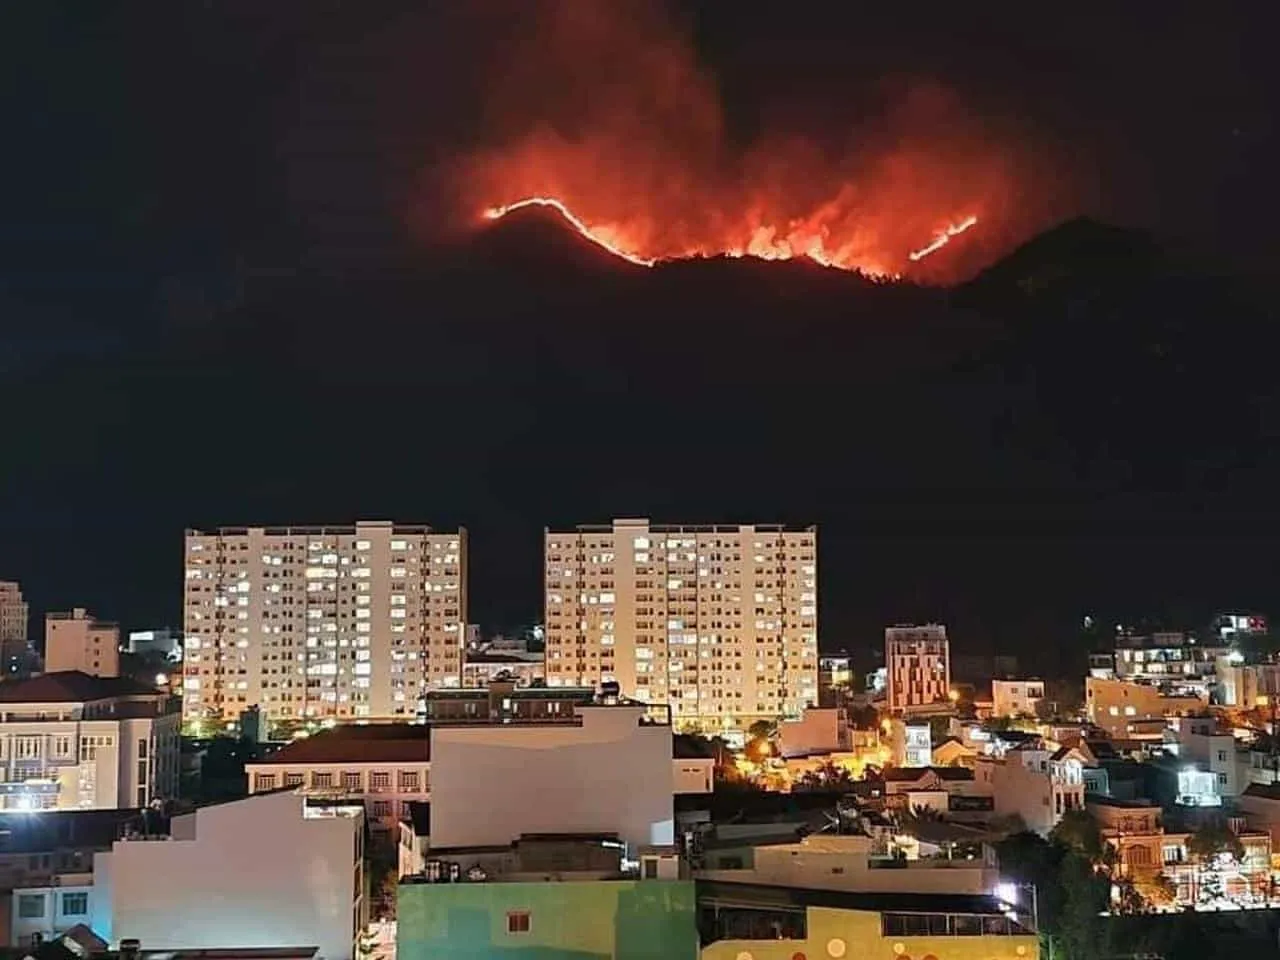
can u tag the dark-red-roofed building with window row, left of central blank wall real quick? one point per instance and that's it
(386, 767)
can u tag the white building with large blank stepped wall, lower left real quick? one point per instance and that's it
(271, 871)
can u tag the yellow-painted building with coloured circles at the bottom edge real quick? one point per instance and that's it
(746, 922)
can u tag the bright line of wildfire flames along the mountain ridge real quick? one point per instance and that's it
(764, 244)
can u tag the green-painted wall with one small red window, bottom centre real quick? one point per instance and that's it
(569, 921)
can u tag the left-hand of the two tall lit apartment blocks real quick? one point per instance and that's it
(322, 621)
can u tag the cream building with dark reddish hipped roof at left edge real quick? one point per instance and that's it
(76, 742)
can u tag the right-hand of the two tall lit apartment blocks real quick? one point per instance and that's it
(721, 623)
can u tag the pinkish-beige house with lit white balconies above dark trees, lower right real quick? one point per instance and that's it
(1036, 784)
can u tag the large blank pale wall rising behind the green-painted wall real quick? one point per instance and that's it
(492, 784)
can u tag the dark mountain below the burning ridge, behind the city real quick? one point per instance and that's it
(1084, 427)
